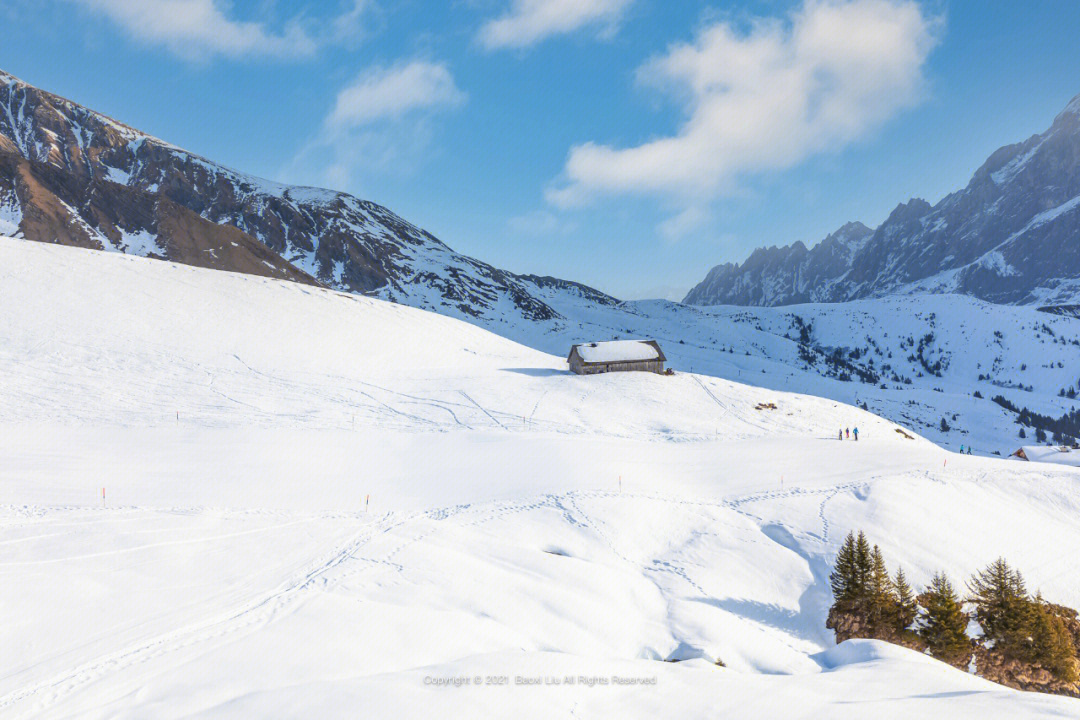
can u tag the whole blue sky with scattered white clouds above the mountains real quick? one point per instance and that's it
(627, 144)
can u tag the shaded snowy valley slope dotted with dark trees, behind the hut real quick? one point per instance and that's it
(1031, 359)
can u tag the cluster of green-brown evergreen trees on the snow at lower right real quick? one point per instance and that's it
(1001, 631)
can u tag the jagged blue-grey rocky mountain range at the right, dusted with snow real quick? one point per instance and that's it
(1011, 237)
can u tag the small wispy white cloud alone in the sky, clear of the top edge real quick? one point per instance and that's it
(390, 93)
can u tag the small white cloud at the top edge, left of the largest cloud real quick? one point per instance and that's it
(529, 22)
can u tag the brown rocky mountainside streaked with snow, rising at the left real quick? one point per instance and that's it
(73, 176)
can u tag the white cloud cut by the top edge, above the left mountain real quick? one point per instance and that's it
(199, 30)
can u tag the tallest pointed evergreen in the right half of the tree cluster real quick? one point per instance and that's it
(1003, 607)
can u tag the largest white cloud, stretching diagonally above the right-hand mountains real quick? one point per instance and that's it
(763, 100)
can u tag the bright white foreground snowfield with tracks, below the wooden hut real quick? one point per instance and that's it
(524, 523)
